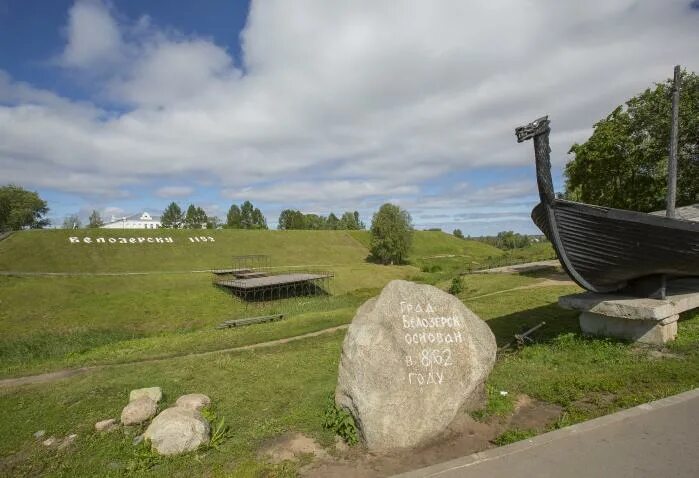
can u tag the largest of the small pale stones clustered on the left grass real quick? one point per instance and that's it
(177, 430)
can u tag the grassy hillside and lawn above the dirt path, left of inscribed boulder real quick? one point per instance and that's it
(54, 322)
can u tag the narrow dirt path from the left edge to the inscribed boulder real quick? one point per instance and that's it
(65, 373)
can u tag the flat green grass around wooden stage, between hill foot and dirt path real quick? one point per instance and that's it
(51, 323)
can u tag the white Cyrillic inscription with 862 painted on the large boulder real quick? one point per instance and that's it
(424, 328)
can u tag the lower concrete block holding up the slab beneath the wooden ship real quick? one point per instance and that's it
(646, 331)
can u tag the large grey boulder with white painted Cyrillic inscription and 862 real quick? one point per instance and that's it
(412, 359)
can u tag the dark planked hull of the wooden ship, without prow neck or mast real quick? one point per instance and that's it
(603, 249)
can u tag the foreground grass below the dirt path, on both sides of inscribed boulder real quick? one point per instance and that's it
(586, 377)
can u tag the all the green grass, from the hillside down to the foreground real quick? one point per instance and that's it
(50, 323)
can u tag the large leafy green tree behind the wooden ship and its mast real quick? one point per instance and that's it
(624, 163)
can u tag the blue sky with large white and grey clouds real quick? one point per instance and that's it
(127, 105)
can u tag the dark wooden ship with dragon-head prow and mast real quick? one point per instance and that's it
(608, 250)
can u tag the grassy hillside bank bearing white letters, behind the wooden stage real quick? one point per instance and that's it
(51, 250)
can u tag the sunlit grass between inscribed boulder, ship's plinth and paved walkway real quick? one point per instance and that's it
(592, 377)
